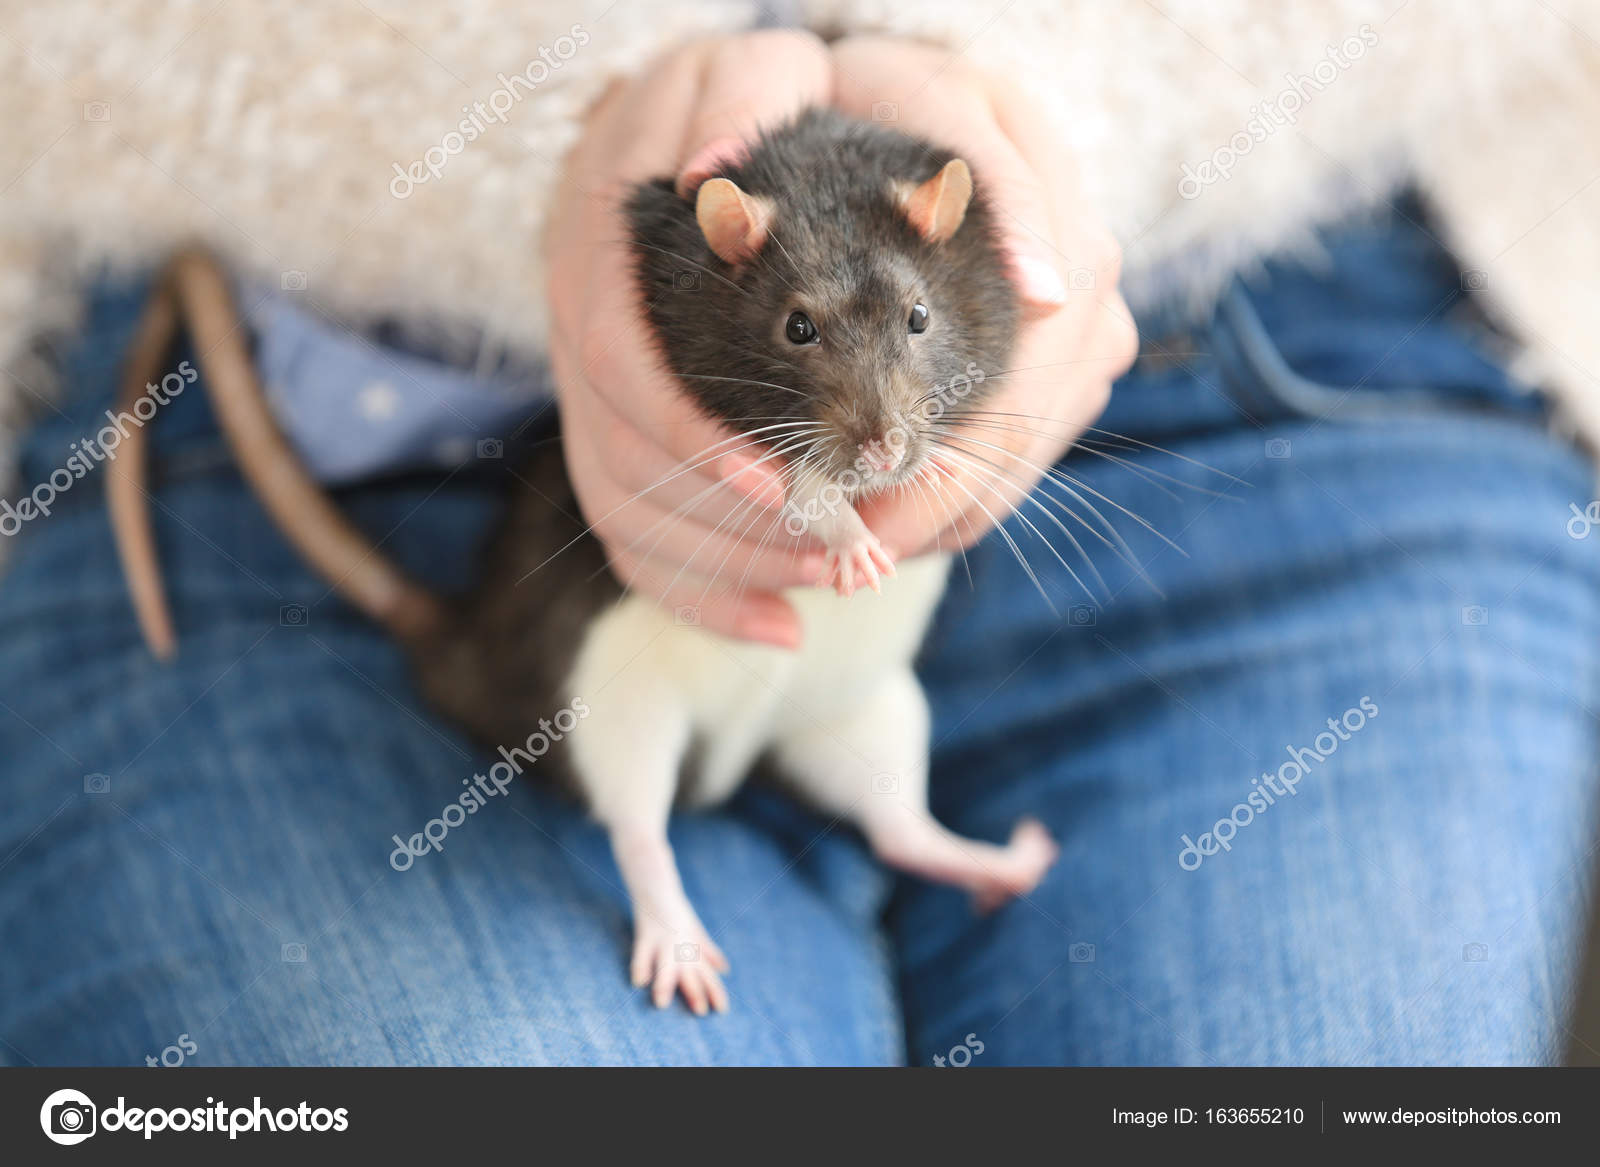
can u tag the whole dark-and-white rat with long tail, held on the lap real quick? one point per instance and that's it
(850, 303)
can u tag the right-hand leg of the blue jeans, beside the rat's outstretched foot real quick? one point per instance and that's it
(1420, 897)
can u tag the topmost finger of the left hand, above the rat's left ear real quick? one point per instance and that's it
(751, 84)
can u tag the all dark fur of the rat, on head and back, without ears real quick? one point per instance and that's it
(841, 251)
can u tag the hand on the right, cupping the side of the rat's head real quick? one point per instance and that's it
(1078, 334)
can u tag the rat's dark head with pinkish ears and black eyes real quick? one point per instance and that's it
(839, 299)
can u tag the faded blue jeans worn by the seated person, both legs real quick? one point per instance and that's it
(1324, 784)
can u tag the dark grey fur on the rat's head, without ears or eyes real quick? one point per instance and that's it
(841, 251)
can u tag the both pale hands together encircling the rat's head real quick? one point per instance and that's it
(684, 507)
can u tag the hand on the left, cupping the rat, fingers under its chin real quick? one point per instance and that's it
(681, 503)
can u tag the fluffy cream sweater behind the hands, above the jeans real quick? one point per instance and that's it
(1210, 130)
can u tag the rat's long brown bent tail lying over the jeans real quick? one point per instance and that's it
(193, 287)
